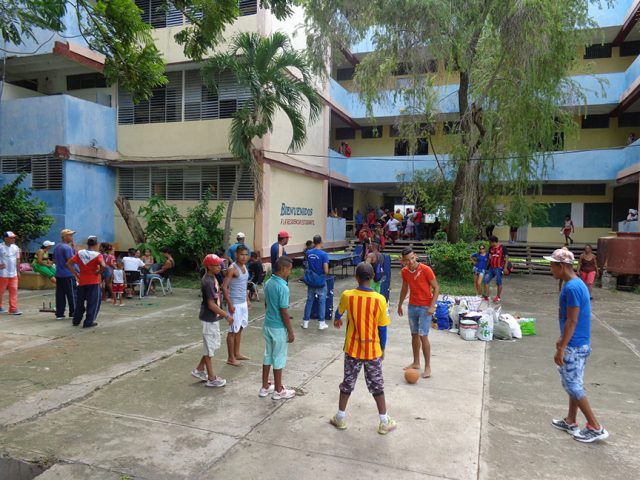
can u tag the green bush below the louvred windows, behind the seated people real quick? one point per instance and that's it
(190, 237)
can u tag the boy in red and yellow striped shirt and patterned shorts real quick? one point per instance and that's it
(366, 336)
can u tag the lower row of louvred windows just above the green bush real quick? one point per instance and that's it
(184, 183)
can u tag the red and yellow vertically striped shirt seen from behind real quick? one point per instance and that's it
(366, 311)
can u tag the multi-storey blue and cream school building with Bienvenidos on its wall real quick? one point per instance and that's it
(83, 143)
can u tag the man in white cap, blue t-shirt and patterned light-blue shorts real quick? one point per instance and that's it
(573, 348)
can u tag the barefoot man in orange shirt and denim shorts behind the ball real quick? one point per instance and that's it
(421, 282)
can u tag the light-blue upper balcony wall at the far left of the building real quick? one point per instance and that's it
(32, 126)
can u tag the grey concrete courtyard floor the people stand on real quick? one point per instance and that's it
(118, 402)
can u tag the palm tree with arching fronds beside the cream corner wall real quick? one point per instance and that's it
(276, 77)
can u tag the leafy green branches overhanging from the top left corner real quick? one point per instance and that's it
(116, 29)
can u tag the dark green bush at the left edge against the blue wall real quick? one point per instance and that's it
(22, 213)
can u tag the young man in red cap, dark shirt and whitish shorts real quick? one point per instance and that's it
(210, 315)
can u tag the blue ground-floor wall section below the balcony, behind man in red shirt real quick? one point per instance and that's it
(88, 201)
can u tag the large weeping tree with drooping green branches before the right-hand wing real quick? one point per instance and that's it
(511, 63)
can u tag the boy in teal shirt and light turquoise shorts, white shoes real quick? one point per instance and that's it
(277, 331)
